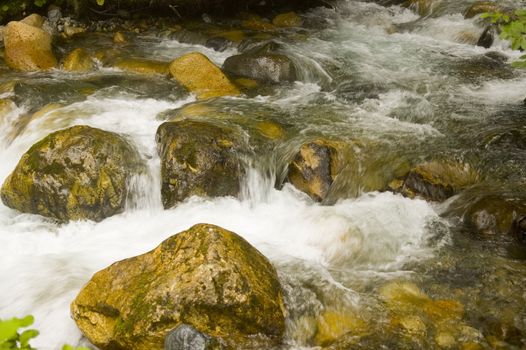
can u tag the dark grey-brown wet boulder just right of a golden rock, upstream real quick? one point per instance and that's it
(262, 63)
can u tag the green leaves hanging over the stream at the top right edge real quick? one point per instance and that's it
(512, 28)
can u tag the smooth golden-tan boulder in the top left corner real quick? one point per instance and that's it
(28, 48)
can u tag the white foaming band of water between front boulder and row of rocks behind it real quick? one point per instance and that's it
(44, 265)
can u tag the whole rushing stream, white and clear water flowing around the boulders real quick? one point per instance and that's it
(402, 88)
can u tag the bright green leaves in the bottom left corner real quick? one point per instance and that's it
(12, 339)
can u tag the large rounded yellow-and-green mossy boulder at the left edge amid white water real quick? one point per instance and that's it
(73, 174)
